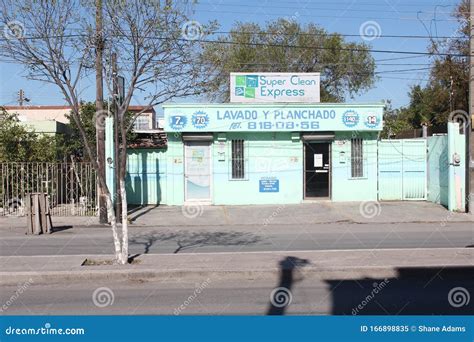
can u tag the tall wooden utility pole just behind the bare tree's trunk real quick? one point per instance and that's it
(99, 105)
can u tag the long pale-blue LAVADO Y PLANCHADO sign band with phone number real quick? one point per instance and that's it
(255, 118)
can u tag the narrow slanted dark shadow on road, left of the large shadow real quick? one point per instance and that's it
(281, 296)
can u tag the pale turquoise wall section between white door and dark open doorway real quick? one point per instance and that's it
(267, 156)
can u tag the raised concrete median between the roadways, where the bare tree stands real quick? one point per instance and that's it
(163, 267)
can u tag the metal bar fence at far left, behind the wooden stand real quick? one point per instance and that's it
(71, 187)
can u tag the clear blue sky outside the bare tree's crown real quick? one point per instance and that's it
(401, 18)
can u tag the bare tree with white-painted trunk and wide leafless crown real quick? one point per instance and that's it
(157, 51)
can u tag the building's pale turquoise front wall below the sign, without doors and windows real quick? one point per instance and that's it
(157, 176)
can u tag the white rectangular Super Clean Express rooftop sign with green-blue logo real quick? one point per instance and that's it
(274, 87)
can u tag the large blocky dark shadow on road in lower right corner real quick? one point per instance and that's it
(414, 291)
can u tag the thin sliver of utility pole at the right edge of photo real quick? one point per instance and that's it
(470, 130)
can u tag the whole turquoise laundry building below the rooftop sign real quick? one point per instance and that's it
(238, 154)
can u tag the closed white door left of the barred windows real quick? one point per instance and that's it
(197, 171)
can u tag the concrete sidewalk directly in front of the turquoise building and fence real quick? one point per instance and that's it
(306, 213)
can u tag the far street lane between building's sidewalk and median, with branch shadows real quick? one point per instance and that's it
(246, 238)
